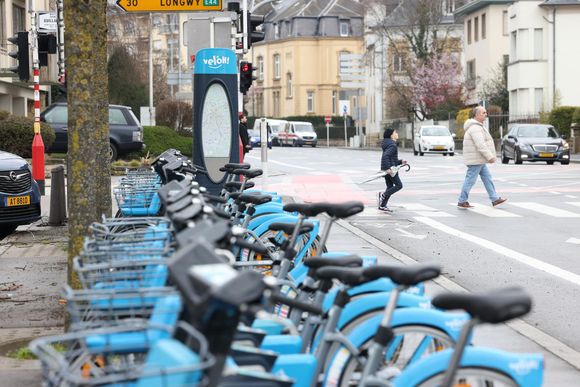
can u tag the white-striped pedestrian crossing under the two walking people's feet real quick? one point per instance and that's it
(512, 209)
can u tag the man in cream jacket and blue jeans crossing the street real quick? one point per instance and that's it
(478, 151)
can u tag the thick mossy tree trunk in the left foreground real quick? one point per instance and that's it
(89, 179)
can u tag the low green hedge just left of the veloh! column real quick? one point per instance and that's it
(160, 138)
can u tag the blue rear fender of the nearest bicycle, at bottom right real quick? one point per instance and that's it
(525, 369)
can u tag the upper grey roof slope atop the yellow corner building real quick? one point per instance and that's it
(289, 9)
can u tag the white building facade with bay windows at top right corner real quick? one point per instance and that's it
(542, 70)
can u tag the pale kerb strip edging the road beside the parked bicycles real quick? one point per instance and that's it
(551, 344)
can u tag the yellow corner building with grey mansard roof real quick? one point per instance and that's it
(298, 63)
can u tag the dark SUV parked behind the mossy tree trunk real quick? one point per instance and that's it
(125, 131)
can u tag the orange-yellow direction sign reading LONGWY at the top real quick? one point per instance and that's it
(169, 5)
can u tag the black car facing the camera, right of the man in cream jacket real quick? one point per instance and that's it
(534, 142)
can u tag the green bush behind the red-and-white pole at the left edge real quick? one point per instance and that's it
(17, 133)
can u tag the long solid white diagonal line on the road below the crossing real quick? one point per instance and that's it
(522, 258)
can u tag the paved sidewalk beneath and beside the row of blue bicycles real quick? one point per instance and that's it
(33, 264)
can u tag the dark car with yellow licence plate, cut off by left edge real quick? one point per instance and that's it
(19, 193)
